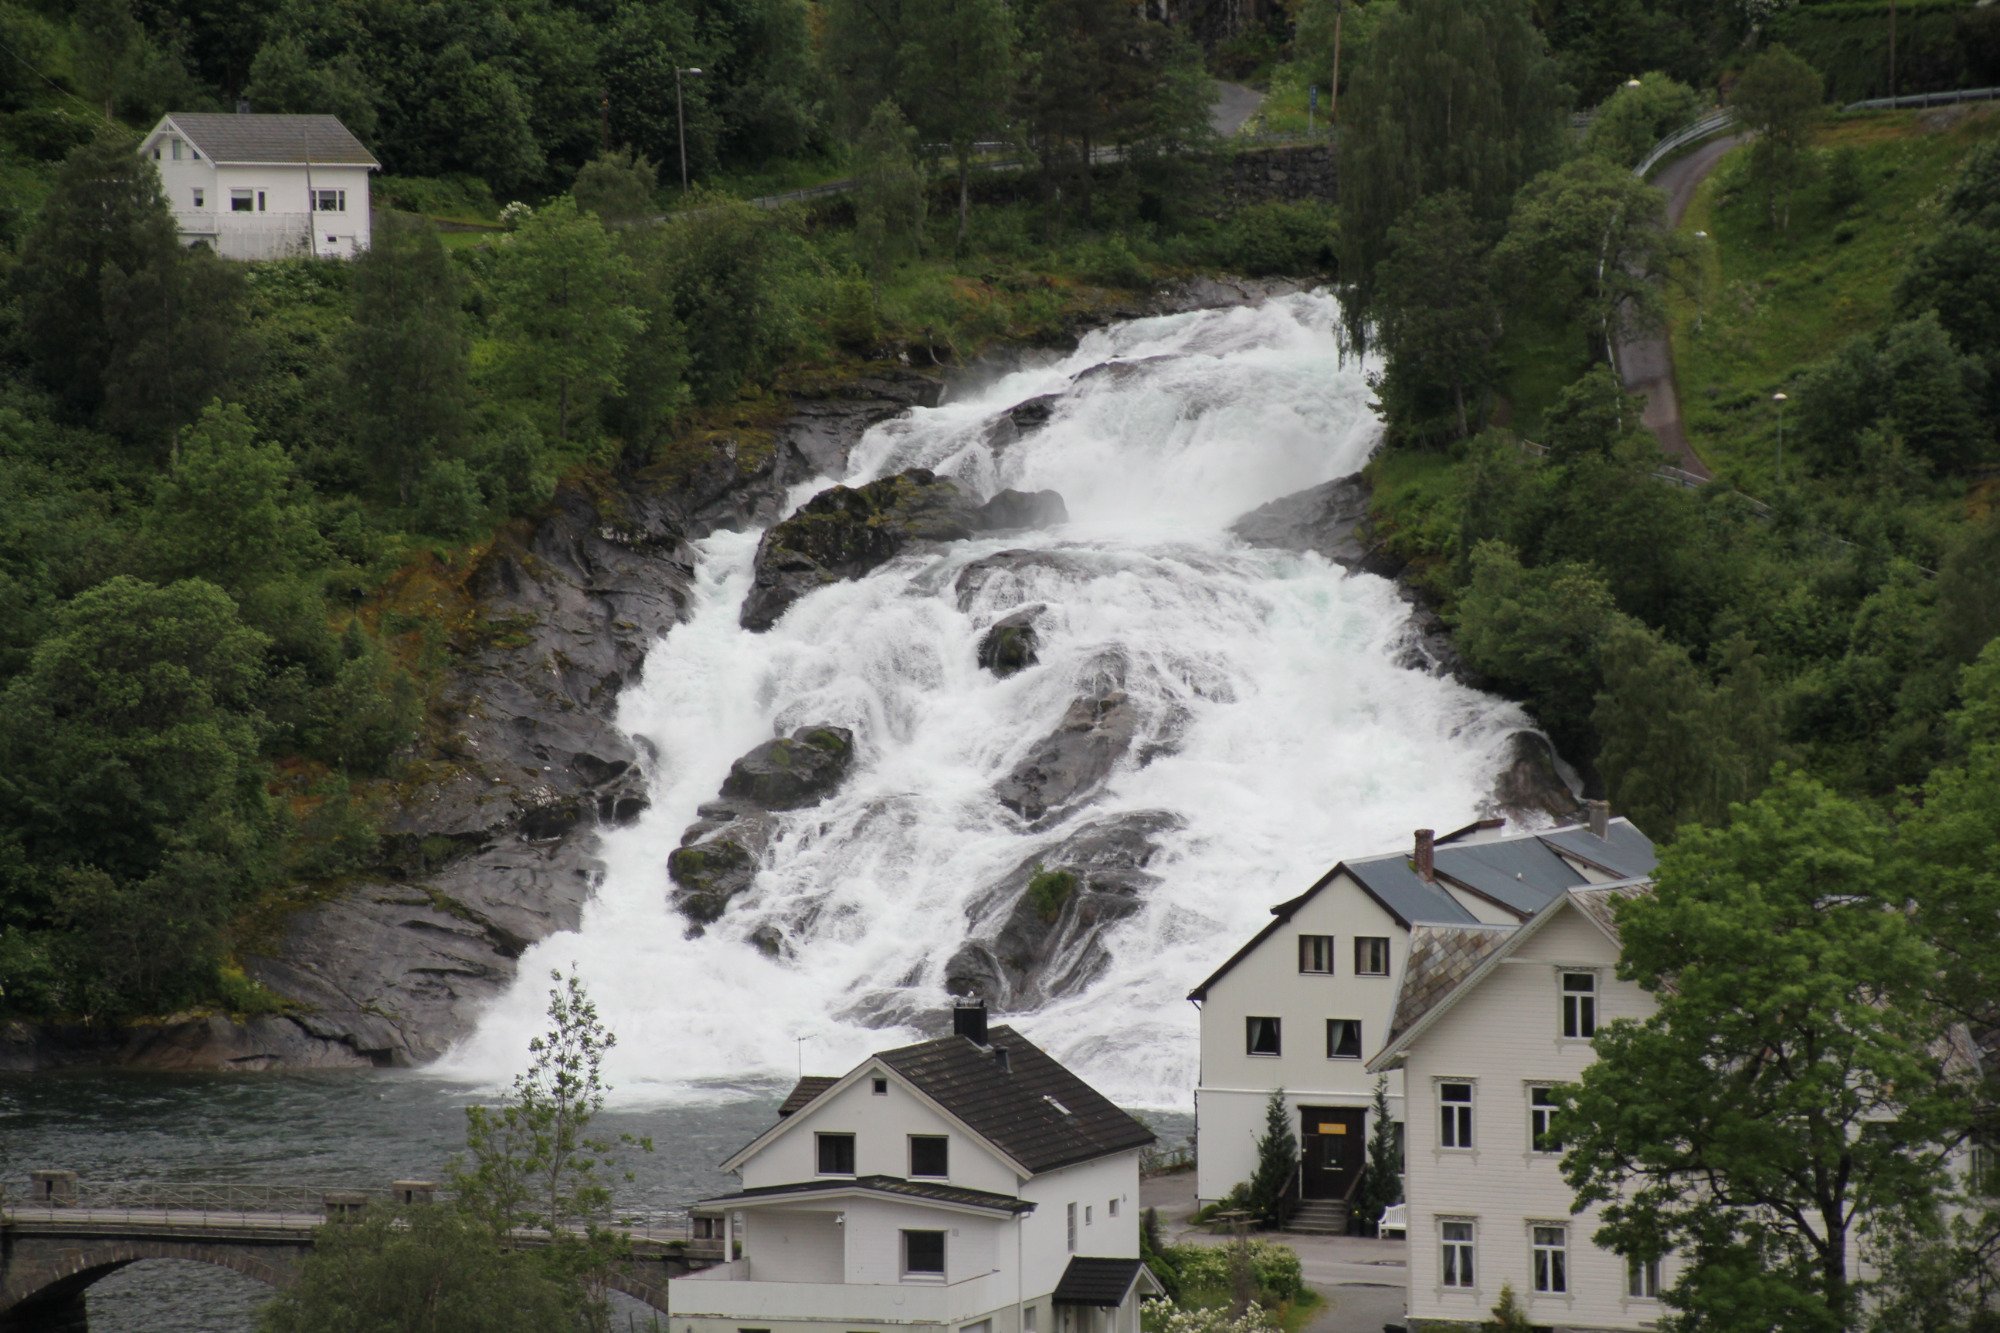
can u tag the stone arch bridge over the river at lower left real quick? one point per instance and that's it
(67, 1236)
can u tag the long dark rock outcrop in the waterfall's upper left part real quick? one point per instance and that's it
(849, 531)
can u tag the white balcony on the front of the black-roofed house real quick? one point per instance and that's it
(729, 1292)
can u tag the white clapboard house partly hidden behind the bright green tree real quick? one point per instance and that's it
(1489, 1022)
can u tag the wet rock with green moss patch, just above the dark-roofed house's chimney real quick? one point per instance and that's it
(1039, 934)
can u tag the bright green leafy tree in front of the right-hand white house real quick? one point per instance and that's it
(1791, 1050)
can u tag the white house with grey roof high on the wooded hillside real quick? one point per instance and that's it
(259, 187)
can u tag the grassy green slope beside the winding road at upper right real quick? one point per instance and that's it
(1771, 303)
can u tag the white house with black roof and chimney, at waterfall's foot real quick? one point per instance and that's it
(965, 1184)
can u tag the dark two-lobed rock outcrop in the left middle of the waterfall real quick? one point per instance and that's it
(721, 852)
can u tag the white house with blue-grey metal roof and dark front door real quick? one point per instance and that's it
(1307, 1004)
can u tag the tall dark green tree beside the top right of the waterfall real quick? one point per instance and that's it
(1403, 143)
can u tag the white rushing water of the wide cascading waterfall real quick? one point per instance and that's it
(1295, 736)
